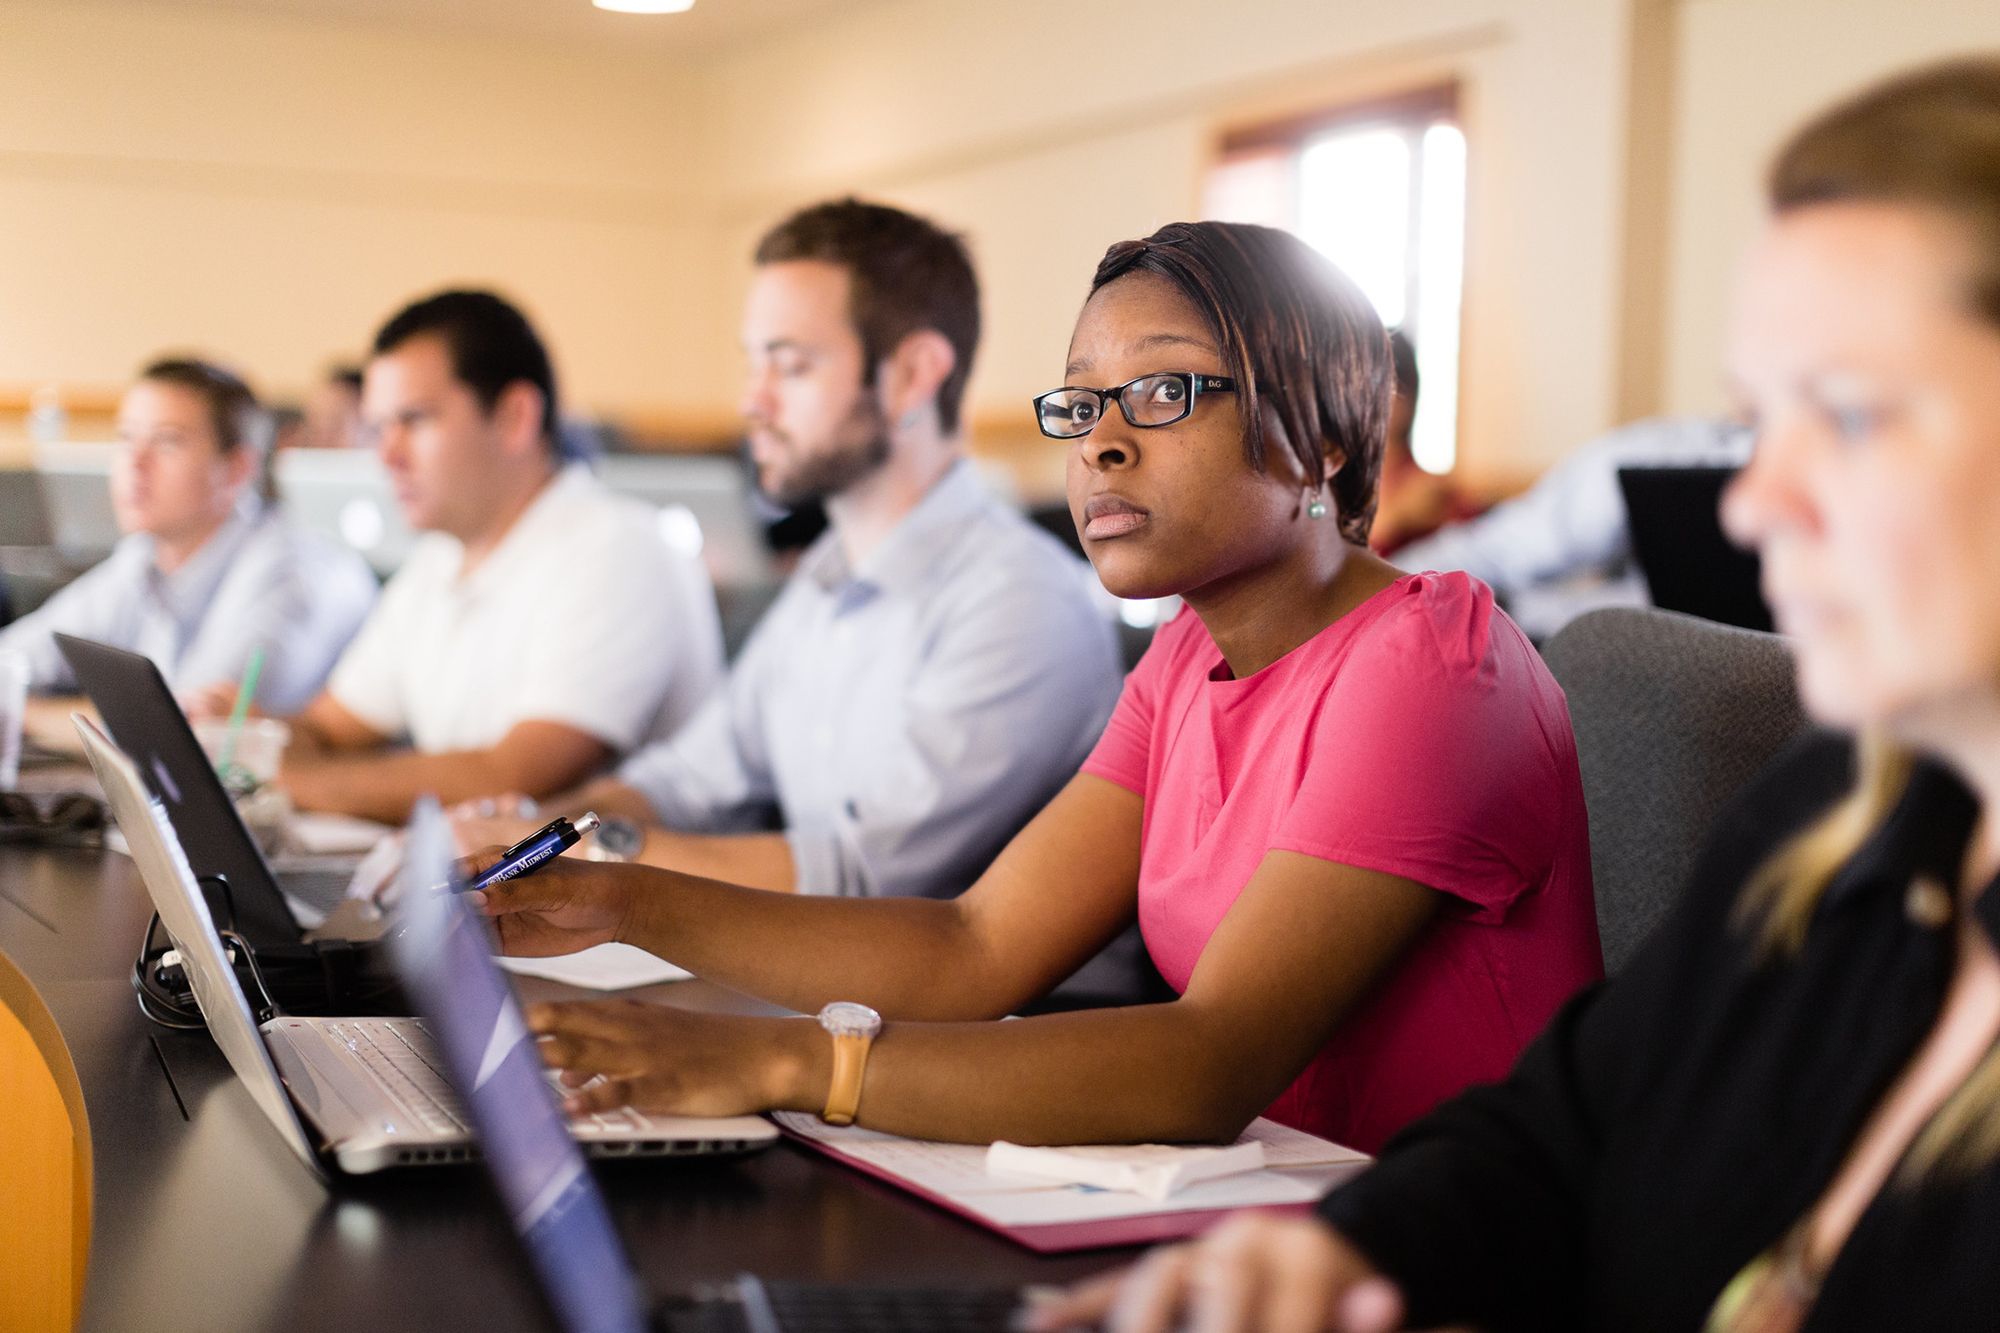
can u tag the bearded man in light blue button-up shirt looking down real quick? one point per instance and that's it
(935, 670)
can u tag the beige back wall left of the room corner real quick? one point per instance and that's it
(271, 191)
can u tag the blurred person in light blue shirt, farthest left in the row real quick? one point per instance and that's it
(209, 573)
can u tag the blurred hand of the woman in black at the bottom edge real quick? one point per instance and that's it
(1261, 1272)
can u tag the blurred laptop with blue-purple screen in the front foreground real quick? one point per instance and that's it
(559, 1214)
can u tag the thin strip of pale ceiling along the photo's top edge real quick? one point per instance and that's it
(709, 29)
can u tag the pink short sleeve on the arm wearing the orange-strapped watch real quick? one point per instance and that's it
(1433, 758)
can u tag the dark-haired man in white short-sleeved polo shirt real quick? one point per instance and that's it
(539, 631)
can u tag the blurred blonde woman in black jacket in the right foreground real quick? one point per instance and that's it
(1787, 1112)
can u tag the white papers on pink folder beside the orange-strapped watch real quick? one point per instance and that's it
(957, 1172)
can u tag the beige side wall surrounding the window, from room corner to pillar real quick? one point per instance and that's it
(1049, 149)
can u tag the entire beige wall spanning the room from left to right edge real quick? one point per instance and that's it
(271, 189)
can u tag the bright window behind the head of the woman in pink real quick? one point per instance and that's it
(1381, 191)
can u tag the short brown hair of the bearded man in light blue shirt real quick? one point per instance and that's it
(905, 275)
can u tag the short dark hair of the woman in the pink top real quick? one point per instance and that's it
(1293, 333)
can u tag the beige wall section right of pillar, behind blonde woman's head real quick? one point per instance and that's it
(1751, 71)
